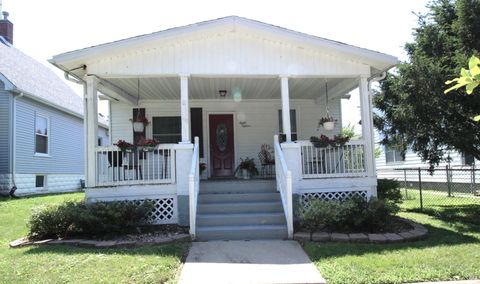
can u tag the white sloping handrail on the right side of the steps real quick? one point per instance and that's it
(284, 185)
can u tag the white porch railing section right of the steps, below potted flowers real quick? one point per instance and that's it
(342, 161)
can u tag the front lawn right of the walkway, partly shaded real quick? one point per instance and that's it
(451, 252)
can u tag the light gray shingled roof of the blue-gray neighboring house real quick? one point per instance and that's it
(36, 80)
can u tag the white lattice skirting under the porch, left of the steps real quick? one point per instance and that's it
(164, 210)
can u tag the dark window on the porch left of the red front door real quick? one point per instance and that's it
(167, 129)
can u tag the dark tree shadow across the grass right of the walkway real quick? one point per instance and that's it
(436, 237)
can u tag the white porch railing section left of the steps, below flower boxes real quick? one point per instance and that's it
(141, 166)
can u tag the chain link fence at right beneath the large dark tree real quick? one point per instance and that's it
(449, 192)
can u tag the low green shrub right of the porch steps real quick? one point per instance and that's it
(353, 214)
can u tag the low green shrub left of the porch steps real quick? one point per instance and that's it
(89, 220)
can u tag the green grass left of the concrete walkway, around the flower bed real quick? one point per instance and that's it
(66, 264)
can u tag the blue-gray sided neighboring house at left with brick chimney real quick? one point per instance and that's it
(41, 125)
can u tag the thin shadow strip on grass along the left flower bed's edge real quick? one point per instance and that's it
(176, 250)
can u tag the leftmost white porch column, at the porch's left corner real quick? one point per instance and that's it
(91, 128)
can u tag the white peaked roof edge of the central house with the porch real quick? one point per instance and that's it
(377, 60)
